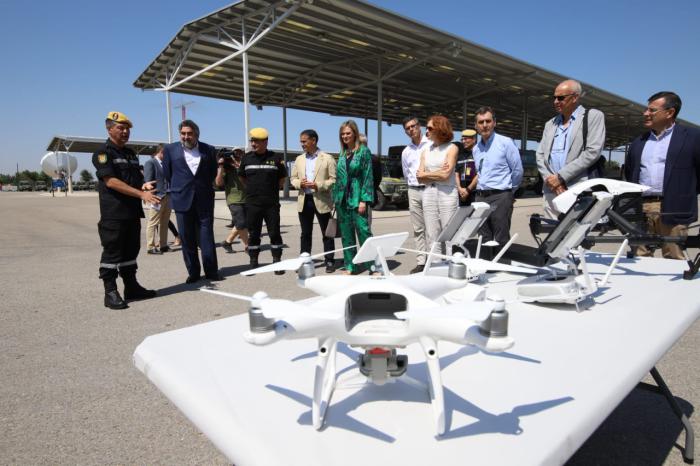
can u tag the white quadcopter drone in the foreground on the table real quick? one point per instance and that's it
(378, 314)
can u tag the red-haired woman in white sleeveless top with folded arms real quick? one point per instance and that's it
(436, 172)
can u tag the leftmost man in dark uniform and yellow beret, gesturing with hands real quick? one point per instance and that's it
(121, 190)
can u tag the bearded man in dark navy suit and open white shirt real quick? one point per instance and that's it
(189, 167)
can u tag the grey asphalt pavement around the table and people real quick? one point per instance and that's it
(71, 395)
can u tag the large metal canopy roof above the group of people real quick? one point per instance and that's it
(351, 58)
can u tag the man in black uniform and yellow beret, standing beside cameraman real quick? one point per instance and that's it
(263, 173)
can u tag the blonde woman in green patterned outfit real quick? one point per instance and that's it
(353, 193)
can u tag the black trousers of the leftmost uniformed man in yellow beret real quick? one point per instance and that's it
(121, 242)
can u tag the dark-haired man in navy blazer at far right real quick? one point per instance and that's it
(667, 158)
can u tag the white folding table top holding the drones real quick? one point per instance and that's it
(536, 404)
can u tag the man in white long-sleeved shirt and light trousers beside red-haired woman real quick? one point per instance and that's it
(410, 160)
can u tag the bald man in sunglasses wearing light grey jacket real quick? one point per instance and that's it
(571, 144)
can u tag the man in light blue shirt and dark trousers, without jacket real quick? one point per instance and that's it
(499, 173)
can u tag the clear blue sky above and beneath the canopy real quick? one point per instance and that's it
(67, 63)
